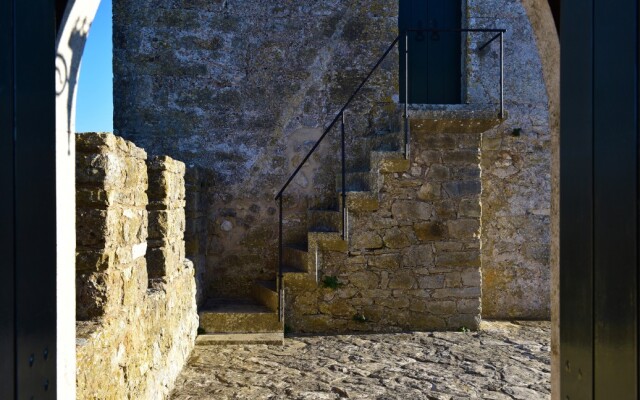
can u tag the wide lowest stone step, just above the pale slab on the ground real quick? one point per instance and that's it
(238, 316)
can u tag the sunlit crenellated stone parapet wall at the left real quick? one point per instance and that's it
(133, 334)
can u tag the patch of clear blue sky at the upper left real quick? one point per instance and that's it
(94, 111)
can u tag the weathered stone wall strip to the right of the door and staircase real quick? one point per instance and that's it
(516, 167)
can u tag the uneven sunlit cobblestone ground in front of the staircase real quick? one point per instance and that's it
(502, 361)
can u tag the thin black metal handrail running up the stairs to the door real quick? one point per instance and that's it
(340, 117)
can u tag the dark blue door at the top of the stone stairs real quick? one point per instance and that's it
(435, 68)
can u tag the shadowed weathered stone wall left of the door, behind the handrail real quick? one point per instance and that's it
(244, 88)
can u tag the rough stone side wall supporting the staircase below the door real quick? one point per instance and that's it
(414, 262)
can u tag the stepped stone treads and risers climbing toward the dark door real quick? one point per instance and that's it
(256, 320)
